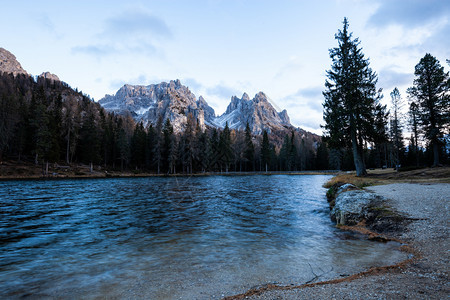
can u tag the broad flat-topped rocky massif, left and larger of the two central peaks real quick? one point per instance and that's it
(171, 100)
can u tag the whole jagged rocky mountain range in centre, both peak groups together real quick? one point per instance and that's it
(175, 101)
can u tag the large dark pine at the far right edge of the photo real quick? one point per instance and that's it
(431, 93)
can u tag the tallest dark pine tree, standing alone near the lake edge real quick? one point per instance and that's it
(350, 98)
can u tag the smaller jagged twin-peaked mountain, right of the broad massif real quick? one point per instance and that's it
(258, 112)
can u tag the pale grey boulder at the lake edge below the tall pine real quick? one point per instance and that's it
(353, 206)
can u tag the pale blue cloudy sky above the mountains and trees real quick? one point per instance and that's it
(223, 48)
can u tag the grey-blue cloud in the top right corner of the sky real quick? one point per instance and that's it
(410, 13)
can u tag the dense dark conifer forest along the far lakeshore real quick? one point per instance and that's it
(47, 121)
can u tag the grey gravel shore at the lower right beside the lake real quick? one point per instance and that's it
(426, 277)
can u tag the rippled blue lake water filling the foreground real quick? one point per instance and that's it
(170, 238)
